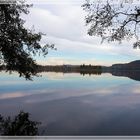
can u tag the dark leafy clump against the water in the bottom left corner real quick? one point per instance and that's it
(21, 125)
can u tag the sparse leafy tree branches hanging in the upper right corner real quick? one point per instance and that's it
(113, 21)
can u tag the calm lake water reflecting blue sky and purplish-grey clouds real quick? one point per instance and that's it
(73, 104)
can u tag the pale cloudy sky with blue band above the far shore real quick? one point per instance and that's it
(63, 22)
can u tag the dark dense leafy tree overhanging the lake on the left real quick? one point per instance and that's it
(18, 44)
